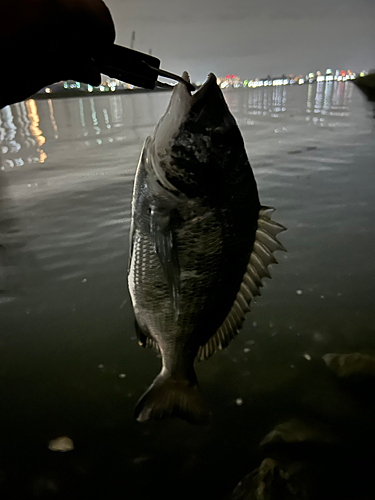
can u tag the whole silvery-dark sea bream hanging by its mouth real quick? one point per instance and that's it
(200, 244)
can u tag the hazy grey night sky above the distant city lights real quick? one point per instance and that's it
(251, 38)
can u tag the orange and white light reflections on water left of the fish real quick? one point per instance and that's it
(89, 120)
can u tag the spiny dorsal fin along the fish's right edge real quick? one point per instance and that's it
(261, 257)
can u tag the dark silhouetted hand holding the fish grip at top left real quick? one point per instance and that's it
(45, 41)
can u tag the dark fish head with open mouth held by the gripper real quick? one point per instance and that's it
(197, 141)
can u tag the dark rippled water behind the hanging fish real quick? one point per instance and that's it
(69, 361)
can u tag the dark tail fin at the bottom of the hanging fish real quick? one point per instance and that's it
(167, 397)
